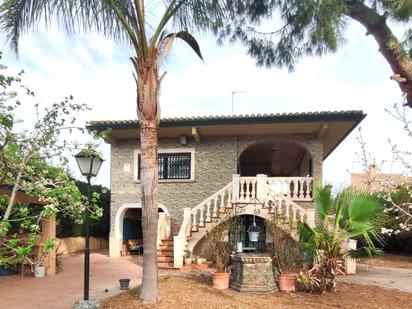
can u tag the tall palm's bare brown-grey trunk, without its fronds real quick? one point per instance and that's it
(149, 114)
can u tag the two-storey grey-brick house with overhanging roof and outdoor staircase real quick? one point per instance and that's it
(209, 164)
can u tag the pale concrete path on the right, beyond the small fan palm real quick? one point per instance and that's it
(387, 277)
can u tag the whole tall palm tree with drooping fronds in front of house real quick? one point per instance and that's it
(121, 20)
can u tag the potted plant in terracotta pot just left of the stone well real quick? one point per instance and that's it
(221, 250)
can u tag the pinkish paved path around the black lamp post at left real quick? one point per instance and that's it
(62, 290)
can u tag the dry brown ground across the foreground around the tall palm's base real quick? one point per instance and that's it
(196, 292)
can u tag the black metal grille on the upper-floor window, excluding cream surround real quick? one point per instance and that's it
(172, 165)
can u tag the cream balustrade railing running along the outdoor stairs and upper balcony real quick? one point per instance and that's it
(243, 190)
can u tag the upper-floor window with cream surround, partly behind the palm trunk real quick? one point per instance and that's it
(173, 164)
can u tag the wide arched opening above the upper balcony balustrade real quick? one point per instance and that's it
(276, 159)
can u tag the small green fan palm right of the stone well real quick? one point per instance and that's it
(351, 214)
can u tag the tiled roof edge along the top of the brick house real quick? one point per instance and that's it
(235, 119)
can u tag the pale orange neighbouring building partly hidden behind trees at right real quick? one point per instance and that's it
(374, 181)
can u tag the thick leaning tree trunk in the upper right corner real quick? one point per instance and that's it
(389, 45)
